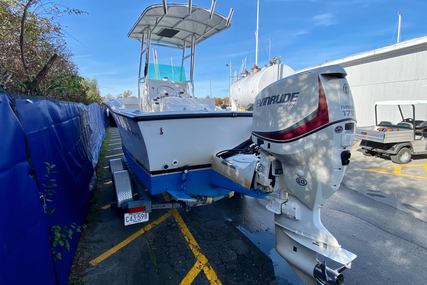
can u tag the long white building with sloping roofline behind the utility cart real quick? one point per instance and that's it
(394, 72)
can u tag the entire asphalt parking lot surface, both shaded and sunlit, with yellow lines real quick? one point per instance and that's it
(379, 213)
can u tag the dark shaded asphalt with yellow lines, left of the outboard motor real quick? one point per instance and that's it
(174, 247)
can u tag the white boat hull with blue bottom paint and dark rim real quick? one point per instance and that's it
(160, 146)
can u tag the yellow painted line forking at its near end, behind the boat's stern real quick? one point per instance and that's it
(202, 261)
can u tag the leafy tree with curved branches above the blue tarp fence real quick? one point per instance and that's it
(31, 38)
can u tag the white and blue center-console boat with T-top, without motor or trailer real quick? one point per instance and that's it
(169, 140)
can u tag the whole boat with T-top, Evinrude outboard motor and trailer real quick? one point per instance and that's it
(296, 143)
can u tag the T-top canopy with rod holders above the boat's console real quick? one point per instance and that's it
(179, 23)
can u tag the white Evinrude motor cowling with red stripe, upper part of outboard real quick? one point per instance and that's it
(307, 122)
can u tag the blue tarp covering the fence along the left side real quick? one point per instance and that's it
(67, 135)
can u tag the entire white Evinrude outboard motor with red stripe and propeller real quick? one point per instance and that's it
(304, 128)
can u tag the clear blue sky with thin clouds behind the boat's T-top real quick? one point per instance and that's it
(303, 33)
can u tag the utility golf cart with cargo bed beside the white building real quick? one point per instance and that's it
(401, 140)
